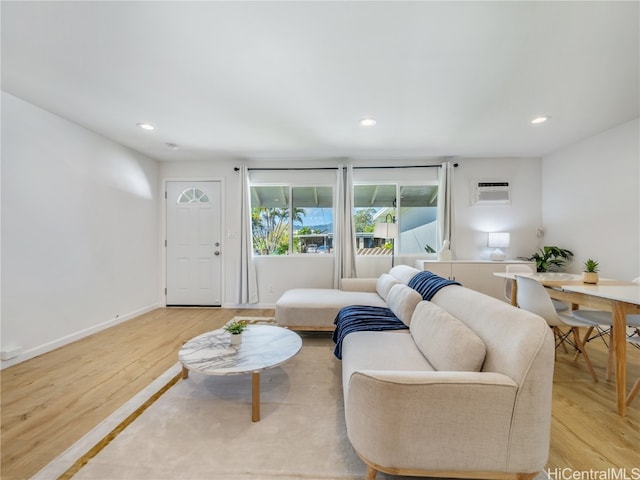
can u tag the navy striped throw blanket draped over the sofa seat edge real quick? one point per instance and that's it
(357, 318)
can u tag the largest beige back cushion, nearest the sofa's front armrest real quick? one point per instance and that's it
(445, 341)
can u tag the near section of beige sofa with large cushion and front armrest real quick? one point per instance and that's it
(465, 392)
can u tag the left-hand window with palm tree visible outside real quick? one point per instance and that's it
(292, 219)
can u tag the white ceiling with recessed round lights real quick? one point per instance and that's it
(269, 80)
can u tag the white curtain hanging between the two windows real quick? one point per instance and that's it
(344, 239)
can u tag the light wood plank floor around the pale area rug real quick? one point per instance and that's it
(51, 401)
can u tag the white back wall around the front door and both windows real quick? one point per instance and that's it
(276, 275)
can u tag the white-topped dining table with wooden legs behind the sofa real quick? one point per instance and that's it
(616, 296)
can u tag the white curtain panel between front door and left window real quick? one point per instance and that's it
(248, 284)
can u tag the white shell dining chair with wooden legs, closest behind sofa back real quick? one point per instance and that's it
(533, 297)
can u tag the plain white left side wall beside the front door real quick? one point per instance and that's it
(79, 231)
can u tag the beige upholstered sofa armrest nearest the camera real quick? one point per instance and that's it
(436, 420)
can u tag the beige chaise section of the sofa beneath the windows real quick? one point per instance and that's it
(316, 308)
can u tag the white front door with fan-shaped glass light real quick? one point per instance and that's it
(193, 243)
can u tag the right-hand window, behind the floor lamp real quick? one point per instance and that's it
(412, 207)
